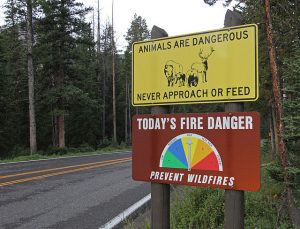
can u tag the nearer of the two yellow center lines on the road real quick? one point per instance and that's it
(63, 172)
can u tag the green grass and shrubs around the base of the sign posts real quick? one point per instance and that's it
(195, 207)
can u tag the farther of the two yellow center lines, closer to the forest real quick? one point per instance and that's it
(59, 168)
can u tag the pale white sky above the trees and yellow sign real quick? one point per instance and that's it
(177, 17)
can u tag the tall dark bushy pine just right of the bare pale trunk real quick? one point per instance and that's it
(56, 42)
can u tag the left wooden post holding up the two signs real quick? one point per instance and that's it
(160, 193)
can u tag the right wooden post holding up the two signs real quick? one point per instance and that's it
(234, 199)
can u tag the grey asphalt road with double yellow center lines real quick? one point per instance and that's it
(78, 192)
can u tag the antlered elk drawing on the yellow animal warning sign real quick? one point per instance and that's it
(199, 68)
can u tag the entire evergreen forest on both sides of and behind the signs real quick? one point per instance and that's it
(64, 84)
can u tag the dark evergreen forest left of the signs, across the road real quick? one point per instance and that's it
(57, 74)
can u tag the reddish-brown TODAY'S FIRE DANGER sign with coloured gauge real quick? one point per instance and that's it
(217, 150)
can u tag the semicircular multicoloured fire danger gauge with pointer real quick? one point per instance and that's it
(192, 152)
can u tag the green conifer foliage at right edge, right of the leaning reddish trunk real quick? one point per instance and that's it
(291, 120)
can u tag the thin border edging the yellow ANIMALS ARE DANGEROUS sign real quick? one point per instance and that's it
(256, 87)
